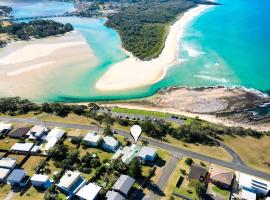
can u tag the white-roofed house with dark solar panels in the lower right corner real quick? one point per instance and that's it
(253, 184)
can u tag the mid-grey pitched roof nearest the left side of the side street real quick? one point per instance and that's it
(123, 184)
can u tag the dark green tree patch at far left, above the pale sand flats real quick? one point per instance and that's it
(35, 29)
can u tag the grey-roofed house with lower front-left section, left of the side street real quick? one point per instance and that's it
(122, 187)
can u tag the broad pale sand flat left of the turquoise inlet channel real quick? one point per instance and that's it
(27, 66)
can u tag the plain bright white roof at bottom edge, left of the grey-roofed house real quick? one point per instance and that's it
(89, 192)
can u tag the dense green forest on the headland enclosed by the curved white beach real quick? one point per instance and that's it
(143, 27)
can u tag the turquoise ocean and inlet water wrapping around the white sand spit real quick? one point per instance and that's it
(226, 45)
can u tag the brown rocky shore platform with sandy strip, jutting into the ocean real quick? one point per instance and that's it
(220, 105)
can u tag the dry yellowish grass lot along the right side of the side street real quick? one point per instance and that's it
(184, 188)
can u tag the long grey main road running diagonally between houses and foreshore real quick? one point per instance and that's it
(235, 164)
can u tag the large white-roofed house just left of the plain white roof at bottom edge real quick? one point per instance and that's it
(71, 182)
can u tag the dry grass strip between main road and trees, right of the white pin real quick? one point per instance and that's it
(215, 152)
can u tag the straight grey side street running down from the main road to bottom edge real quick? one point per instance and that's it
(166, 173)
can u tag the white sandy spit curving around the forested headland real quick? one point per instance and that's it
(133, 73)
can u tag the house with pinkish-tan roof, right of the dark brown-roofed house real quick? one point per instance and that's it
(221, 177)
